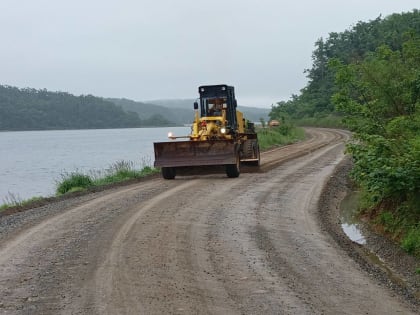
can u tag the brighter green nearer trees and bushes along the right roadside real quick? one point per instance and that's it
(380, 100)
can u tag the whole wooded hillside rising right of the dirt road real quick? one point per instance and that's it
(369, 77)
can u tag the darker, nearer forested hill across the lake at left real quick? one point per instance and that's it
(31, 109)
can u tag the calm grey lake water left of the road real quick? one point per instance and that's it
(32, 161)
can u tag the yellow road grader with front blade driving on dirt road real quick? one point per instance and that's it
(220, 136)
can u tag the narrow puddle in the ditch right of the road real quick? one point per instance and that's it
(349, 223)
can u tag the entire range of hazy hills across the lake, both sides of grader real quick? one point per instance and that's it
(31, 109)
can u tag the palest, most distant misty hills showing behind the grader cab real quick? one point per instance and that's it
(251, 113)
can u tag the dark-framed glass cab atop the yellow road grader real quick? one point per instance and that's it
(217, 98)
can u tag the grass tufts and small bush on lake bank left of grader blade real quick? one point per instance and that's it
(118, 172)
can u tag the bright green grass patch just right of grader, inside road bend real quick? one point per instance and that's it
(281, 135)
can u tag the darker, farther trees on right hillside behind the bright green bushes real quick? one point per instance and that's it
(350, 46)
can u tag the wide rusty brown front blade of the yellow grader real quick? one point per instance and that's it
(195, 153)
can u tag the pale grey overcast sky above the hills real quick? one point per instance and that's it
(165, 49)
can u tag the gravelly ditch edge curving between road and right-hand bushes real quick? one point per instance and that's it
(333, 192)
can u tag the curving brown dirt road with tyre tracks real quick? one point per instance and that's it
(194, 245)
